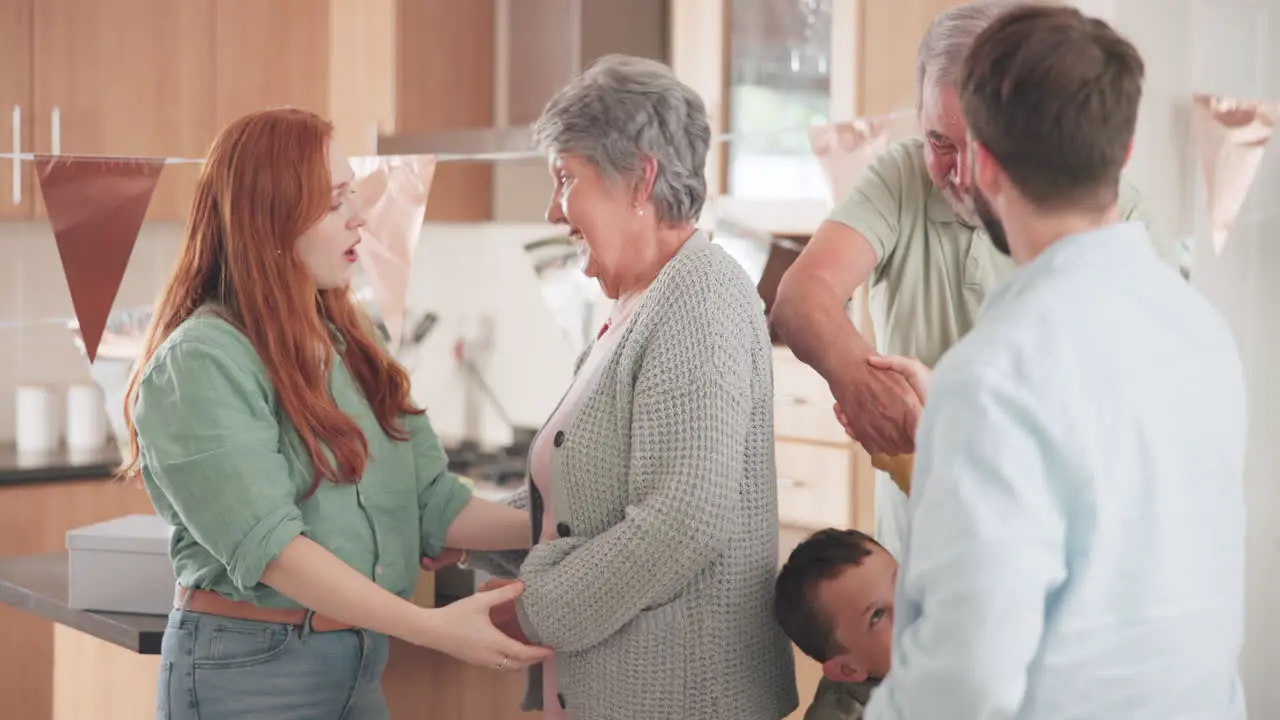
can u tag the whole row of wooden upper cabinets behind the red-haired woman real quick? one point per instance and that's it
(162, 78)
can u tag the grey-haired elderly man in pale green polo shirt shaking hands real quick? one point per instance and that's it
(908, 227)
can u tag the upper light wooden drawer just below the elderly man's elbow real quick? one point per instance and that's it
(803, 403)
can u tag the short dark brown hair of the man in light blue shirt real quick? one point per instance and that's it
(1054, 97)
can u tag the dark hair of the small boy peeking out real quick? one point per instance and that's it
(820, 558)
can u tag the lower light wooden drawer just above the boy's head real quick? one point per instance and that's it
(816, 486)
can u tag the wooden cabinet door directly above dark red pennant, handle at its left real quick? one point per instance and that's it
(127, 78)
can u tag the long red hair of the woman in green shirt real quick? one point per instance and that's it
(266, 183)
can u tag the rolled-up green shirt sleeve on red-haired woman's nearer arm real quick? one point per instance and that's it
(211, 445)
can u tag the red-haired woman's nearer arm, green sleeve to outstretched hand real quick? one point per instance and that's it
(211, 446)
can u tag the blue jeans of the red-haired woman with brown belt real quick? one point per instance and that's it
(216, 668)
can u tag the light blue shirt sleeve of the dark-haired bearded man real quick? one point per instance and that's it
(986, 554)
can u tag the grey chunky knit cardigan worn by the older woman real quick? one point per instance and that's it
(657, 594)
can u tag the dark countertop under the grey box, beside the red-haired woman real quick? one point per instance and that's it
(136, 634)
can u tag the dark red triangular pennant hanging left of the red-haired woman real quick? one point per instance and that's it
(97, 207)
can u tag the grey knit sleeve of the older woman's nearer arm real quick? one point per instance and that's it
(689, 422)
